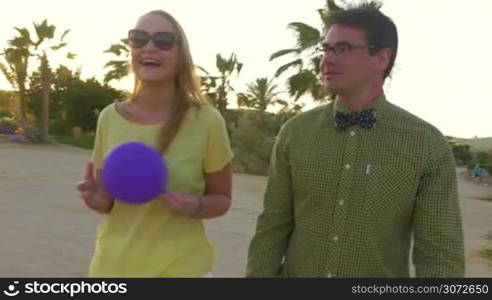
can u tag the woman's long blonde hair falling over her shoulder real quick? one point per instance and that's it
(187, 85)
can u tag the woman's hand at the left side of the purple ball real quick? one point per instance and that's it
(93, 193)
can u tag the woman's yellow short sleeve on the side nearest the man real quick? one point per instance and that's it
(218, 151)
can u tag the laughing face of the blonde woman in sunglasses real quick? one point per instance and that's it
(154, 60)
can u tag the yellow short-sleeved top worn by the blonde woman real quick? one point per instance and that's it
(147, 240)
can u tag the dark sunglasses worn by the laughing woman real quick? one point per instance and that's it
(163, 40)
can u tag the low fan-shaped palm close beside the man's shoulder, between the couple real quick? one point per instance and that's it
(259, 94)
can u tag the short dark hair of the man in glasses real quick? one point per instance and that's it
(379, 29)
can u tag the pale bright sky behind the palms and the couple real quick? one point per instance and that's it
(441, 72)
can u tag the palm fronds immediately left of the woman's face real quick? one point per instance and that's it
(120, 67)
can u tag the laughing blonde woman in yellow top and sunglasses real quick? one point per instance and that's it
(165, 237)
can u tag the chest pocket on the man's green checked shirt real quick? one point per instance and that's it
(390, 189)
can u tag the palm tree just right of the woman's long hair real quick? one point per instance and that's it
(218, 87)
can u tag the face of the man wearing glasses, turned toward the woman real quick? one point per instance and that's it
(347, 65)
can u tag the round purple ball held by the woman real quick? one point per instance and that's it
(134, 173)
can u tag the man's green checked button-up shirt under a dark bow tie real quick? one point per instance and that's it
(347, 203)
